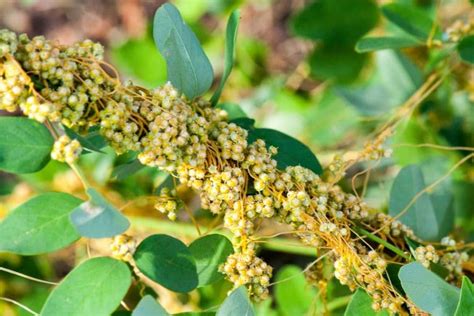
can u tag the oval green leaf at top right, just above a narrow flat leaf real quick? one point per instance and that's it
(410, 19)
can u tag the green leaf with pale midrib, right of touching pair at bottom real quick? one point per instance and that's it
(210, 252)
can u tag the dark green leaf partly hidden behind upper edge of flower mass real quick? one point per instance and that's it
(291, 152)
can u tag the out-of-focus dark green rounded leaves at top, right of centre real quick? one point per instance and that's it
(324, 21)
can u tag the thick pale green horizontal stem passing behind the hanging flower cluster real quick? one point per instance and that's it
(183, 229)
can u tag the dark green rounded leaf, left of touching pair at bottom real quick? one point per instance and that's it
(167, 261)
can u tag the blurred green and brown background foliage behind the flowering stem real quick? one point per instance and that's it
(296, 71)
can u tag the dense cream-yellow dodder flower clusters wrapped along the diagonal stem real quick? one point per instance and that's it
(195, 143)
